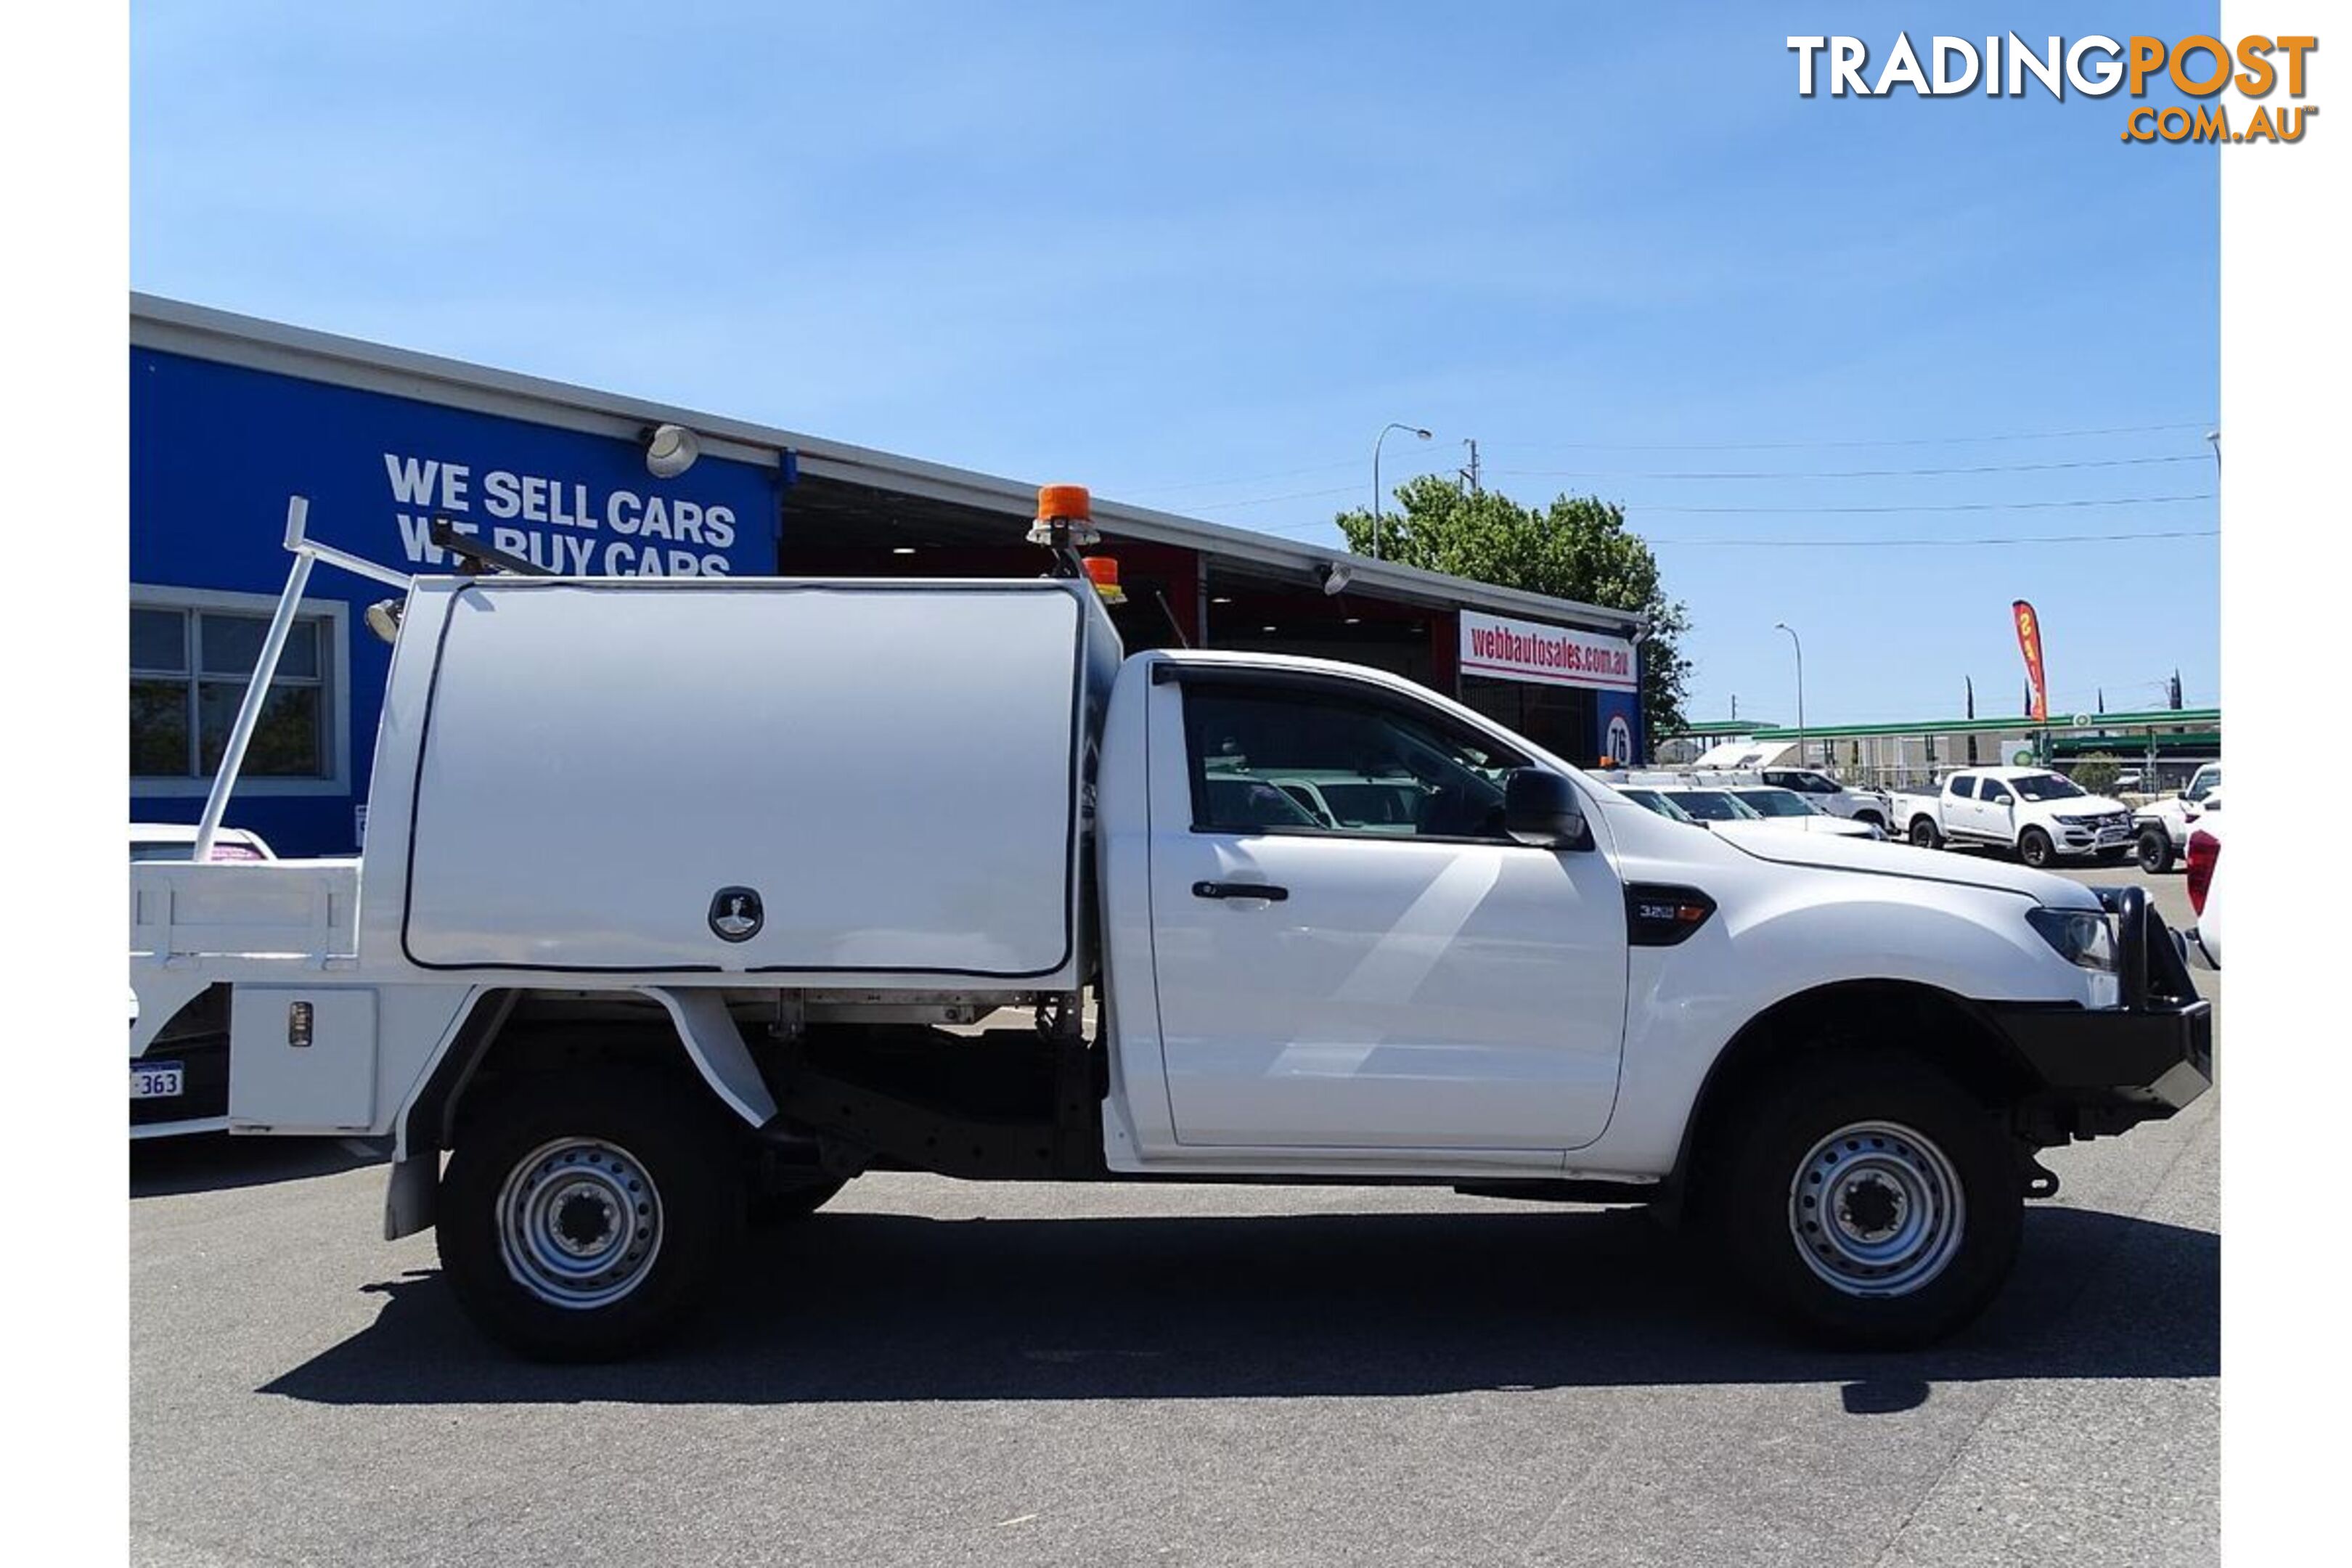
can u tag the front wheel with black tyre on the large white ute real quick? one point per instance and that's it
(1871, 1202)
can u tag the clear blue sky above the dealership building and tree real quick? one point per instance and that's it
(1198, 255)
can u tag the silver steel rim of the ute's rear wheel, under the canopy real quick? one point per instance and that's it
(580, 1224)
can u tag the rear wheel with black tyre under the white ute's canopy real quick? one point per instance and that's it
(582, 1219)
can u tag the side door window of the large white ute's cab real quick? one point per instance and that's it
(1290, 760)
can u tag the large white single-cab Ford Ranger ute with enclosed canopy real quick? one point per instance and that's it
(681, 904)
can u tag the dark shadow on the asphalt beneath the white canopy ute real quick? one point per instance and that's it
(881, 1308)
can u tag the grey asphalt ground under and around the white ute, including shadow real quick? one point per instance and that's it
(1029, 1374)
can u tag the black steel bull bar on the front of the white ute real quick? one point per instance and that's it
(2104, 1071)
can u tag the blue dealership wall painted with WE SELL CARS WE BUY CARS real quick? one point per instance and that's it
(220, 448)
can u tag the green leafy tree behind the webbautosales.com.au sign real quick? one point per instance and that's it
(1575, 549)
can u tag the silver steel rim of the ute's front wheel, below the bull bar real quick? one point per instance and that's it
(1876, 1209)
